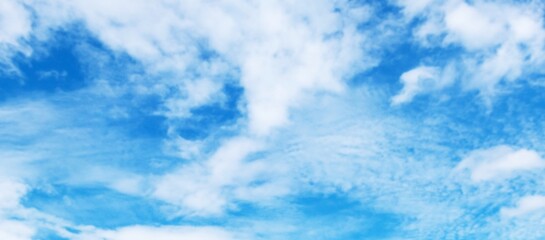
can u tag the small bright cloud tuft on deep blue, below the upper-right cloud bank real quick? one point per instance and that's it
(423, 79)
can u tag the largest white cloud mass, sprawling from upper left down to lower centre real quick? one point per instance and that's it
(283, 52)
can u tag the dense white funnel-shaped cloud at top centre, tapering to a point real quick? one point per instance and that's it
(288, 50)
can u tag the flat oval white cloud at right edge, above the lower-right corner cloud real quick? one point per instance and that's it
(500, 162)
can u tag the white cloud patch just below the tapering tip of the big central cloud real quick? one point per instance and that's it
(208, 187)
